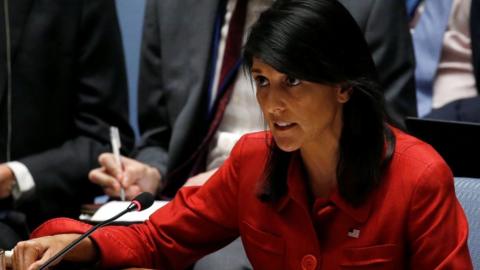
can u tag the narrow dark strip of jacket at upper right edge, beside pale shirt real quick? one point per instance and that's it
(475, 38)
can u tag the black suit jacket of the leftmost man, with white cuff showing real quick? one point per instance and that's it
(68, 87)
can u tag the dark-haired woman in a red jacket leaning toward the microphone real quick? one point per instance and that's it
(330, 186)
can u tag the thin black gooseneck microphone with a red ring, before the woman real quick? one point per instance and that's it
(141, 202)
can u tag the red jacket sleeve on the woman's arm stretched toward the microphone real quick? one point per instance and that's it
(196, 222)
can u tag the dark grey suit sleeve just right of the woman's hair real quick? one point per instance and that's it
(390, 43)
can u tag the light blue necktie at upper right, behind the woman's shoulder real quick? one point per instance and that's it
(427, 43)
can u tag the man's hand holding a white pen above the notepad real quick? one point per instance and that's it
(136, 177)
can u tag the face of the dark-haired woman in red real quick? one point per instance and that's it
(300, 114)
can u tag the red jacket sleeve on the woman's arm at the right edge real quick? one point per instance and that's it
(437, 226)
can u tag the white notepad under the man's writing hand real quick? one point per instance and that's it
(112, 208)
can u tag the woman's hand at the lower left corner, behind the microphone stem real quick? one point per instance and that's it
(31, 254)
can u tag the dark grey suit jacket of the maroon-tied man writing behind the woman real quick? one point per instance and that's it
(174, 79)
